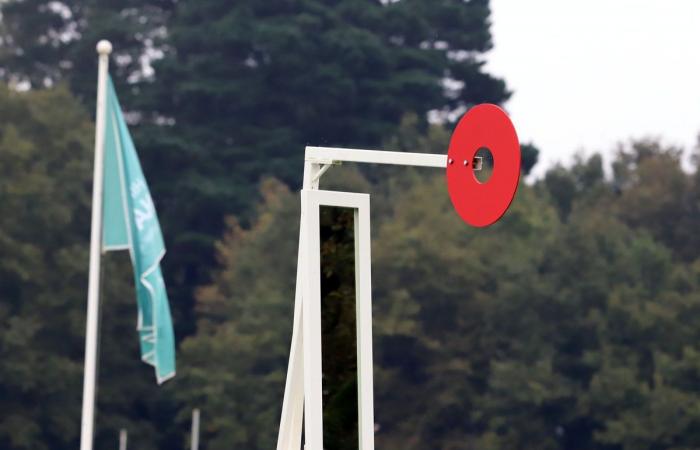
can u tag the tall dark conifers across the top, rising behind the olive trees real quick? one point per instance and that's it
(241, 87)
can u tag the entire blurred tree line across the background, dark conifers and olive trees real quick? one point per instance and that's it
(571, 324)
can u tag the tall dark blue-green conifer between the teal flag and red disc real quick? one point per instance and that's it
(246, 85)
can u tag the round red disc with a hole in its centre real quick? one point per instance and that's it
(481, 204)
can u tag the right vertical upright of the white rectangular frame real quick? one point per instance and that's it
(363, 305)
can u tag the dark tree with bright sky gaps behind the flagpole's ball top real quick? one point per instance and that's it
(43, 42)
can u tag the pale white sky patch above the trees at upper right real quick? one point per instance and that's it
(587, 74)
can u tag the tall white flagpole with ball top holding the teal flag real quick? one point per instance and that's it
(104, 48)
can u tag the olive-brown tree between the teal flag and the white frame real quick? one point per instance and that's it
(235, 369)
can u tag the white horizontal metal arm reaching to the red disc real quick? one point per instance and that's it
(330, 155)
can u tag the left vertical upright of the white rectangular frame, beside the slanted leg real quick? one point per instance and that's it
(311, 325)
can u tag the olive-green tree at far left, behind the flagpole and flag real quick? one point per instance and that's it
(46, 151)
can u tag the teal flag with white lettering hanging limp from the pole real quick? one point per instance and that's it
(130, 223)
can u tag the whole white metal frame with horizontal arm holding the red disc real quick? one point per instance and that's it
(303, 389)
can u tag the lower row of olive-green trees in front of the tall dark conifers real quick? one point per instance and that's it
(570, 324)
